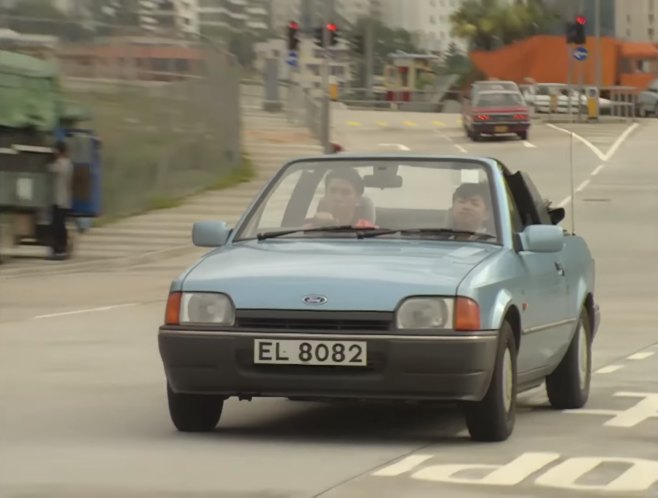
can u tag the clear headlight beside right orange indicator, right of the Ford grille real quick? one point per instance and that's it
(425, 313)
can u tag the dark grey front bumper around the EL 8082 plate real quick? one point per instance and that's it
(448, 367)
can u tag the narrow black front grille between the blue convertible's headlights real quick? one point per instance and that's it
(313, 320)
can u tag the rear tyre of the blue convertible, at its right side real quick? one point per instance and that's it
(568, 386)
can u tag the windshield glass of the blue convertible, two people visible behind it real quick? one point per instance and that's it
(404, 198)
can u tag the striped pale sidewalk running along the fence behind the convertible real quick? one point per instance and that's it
(268, 139)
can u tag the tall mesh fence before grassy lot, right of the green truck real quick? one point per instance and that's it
(167, 110)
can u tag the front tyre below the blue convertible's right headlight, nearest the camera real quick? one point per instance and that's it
(492, 419)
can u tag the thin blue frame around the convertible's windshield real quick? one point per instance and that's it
(490, 168)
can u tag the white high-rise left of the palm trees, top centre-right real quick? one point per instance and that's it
(428, 20)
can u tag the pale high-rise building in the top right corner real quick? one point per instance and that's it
(637, 20)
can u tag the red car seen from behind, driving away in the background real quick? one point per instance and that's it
(497, 112)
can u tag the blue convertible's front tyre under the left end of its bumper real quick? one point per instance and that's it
(194, 412)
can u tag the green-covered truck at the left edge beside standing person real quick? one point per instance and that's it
(33, 115)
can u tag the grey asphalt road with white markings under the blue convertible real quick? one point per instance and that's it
(83, 407)
